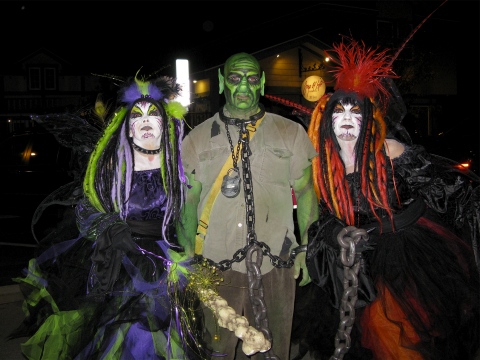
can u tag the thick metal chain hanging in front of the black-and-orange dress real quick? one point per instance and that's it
(347, 238)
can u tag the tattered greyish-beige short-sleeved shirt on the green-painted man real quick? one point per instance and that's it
(281, 150)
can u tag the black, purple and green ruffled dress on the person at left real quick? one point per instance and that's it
(103, 296)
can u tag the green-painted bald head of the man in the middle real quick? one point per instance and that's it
(243, 84)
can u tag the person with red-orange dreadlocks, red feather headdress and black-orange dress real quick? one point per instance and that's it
(410, 219)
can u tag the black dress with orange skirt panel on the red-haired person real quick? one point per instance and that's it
(419, 289)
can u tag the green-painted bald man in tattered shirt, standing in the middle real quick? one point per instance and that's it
(214, 224)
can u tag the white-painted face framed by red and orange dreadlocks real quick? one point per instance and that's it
(347, 119)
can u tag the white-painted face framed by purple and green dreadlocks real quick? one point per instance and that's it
(145, 125)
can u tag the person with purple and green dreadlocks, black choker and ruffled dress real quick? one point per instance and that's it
(116, 291)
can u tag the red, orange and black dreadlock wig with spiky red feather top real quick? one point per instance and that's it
(358, 73)
